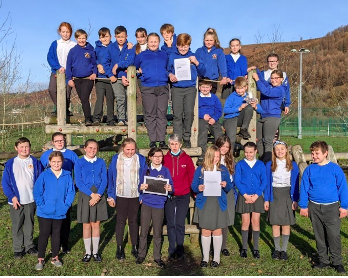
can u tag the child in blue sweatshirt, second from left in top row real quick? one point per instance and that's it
(81, 63)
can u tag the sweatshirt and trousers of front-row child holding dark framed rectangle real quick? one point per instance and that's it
(152, 210)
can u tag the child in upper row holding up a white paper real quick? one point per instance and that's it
(184, 91)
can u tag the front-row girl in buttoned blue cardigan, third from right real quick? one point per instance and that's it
(250, 179)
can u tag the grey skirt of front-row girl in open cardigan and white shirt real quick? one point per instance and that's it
(280, 210)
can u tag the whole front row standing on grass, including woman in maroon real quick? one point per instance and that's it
(249, 188)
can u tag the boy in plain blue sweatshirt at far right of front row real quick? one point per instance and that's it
(324, 198)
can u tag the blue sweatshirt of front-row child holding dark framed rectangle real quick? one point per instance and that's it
(153, 200)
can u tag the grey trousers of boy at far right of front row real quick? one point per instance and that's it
(326, 226)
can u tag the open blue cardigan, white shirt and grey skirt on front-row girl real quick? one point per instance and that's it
(282, 189)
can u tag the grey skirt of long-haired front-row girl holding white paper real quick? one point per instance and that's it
(211, 217)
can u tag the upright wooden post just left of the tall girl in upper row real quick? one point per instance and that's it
(132, 102)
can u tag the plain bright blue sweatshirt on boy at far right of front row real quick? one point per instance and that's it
(324, 185)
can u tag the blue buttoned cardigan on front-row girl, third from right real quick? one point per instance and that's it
(250, 180)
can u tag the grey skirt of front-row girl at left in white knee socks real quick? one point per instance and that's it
(86, 213)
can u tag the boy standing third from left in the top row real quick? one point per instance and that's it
(103, 87)
